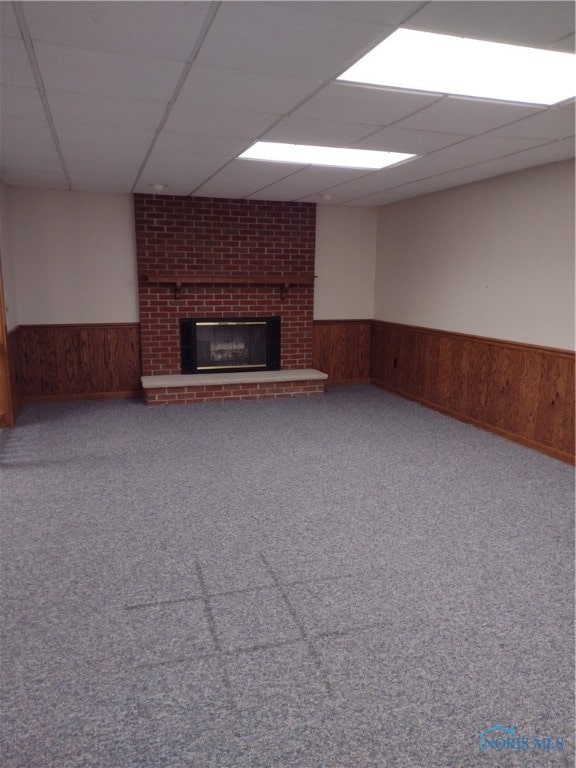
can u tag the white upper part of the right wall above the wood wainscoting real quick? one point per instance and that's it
(494, 258)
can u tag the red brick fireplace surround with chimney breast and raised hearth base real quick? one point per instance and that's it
(188, 242)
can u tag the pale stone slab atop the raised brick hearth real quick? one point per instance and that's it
(247, 377)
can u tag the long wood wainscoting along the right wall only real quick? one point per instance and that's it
(523, 392)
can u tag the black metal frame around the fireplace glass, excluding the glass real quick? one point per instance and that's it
(188, 346)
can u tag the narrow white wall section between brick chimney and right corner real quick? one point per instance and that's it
(345, 262)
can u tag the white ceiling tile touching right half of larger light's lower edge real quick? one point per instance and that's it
(455, 114)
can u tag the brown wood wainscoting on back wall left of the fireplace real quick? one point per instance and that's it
(68, 362)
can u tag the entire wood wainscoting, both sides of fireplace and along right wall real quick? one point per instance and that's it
(523, 392)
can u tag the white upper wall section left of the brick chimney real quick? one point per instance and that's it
(74, 257)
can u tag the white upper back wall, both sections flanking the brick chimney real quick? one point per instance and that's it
(74, 258)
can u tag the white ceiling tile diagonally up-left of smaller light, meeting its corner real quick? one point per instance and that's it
(216, 121)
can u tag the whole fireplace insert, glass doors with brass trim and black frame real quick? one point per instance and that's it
(229, 345)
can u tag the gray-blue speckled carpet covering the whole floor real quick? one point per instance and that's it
(334, 582)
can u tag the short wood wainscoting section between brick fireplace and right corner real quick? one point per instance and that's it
(342, 350)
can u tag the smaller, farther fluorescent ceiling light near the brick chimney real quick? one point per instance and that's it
(306, 154)
